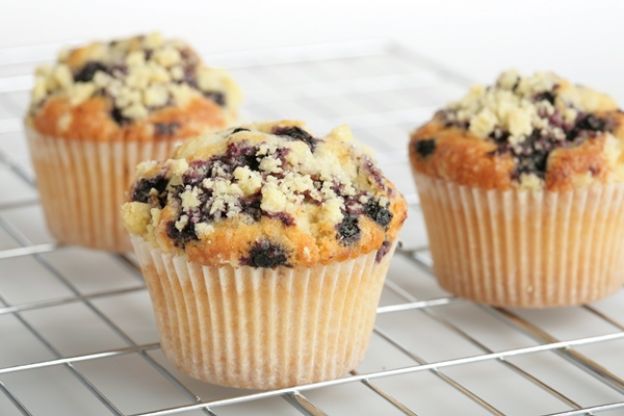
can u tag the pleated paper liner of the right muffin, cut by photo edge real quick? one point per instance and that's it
(525, 248)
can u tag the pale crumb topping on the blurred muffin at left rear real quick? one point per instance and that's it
(139, 75)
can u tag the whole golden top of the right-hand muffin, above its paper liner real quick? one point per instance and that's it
(528, 132)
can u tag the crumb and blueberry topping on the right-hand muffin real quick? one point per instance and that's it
(528, 117)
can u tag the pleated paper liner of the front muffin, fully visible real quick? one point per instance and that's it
(263, 328)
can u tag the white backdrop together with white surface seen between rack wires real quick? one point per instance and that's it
(581, 40)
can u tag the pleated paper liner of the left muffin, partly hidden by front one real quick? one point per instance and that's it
(83, 183)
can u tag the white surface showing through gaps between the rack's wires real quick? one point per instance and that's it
(382, 93)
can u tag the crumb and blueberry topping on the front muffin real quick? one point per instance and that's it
(325, 187)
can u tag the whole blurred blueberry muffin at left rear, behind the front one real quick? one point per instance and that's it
(100, 110)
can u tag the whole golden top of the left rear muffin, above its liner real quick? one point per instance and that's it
(139, 88)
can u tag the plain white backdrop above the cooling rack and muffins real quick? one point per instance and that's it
(579, 39)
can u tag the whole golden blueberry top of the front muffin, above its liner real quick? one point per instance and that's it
(266, 195)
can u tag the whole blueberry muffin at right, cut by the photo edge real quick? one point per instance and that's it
(522, 188)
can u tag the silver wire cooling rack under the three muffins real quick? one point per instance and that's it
(76, 329)
